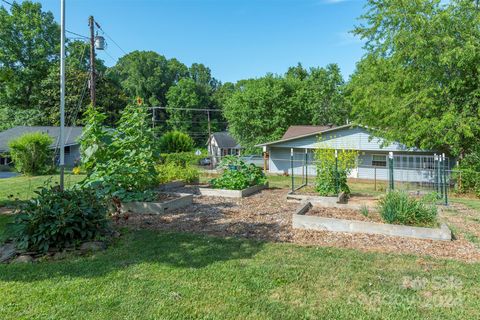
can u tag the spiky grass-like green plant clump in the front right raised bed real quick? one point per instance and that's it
(398, 207)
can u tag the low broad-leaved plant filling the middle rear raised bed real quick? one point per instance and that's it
(237, 175)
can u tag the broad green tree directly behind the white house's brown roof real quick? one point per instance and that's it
(260, 110)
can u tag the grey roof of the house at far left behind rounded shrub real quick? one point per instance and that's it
(71, 135)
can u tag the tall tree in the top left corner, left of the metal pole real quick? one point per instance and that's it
(29, 42)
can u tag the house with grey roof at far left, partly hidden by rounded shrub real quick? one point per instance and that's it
(72, 147)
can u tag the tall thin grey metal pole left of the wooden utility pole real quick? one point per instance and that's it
(62, 95)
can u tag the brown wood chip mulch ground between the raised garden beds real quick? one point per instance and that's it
(268, 216)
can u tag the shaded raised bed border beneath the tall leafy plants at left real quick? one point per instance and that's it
(182, 201)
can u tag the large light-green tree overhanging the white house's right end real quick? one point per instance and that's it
(419, 82)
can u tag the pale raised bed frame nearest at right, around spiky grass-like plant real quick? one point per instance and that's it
(345, 222)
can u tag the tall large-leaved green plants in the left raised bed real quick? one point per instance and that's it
(126, 165)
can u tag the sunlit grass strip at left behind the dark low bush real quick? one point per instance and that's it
(23, 187)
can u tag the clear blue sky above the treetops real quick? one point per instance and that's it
(237, 39)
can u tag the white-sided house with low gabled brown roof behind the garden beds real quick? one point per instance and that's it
(410, 164)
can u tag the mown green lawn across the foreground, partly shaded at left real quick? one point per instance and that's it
(149, 275)
